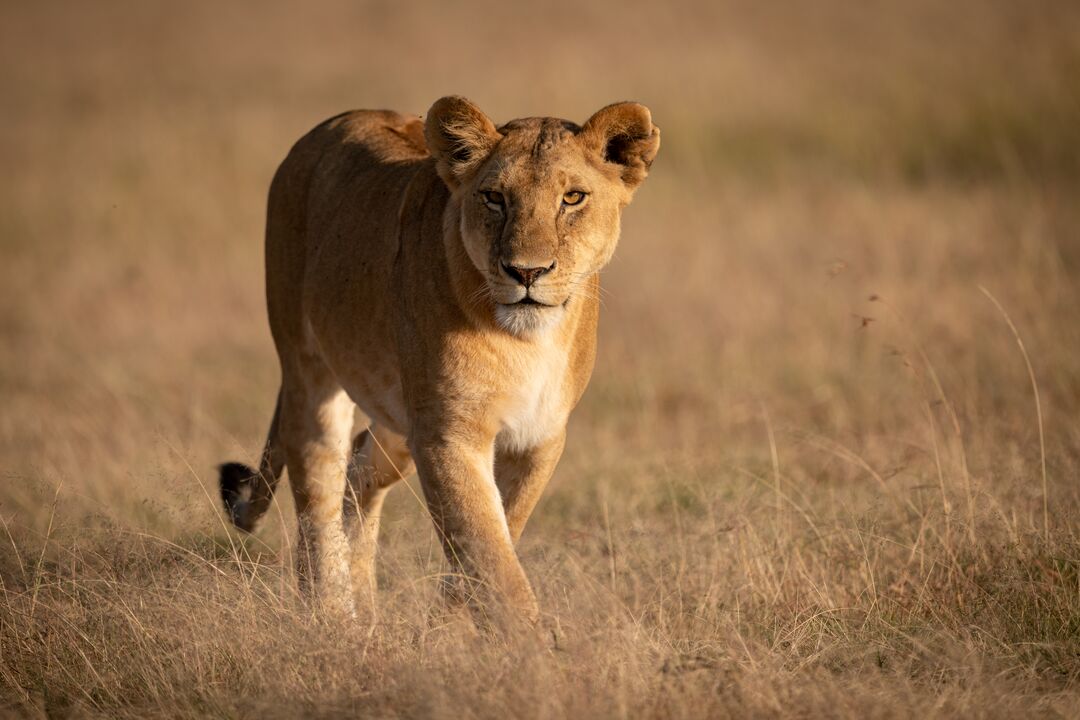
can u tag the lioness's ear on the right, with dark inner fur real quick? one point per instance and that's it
(624, 134)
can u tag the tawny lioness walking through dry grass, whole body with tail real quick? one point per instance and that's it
(443, 277)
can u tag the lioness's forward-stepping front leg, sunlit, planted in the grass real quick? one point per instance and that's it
(456, 470)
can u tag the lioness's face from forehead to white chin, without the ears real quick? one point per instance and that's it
(538, 219)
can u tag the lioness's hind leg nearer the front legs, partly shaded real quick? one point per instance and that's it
(380, 459)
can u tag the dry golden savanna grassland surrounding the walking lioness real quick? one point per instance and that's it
(814, 476)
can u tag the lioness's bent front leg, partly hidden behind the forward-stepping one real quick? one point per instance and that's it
(522, 476)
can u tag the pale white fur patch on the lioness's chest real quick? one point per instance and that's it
(535, 409)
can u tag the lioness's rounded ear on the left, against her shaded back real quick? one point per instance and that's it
(460, 137)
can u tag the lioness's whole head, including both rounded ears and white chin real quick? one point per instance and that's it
(541, 200)
